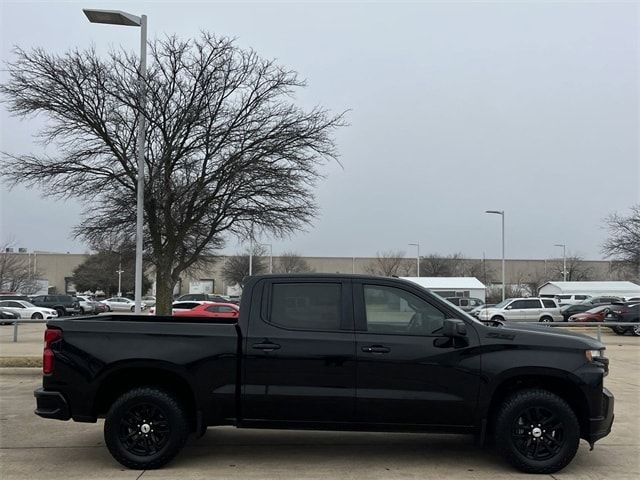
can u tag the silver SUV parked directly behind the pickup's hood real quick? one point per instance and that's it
(524, 310)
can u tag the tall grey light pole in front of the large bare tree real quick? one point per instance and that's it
(117, 17)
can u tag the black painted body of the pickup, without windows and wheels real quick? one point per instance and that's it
(255, 374)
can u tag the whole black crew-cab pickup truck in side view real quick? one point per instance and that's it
(340, 352)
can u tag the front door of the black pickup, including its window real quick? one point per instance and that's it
(407, 372)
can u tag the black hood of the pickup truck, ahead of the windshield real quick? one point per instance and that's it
(543, 335)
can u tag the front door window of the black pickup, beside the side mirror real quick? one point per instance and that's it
(392, 310)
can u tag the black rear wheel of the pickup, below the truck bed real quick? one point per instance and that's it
(124, 438)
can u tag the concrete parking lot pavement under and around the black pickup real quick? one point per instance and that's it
(34, 448)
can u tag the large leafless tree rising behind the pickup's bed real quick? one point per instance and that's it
(227, 149)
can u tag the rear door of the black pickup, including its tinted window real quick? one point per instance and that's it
(300, 360)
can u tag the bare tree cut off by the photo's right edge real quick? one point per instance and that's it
(623, 243)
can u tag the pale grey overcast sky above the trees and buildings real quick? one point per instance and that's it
(456, 108)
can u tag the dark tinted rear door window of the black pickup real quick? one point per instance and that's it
(306, 306)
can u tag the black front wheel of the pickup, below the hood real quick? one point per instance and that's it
(523, 417)
